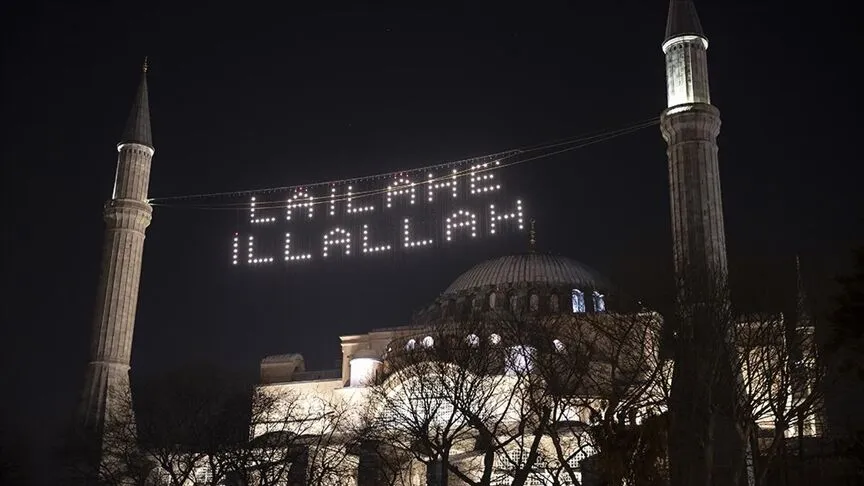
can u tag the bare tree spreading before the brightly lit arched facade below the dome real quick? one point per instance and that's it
(445, 399)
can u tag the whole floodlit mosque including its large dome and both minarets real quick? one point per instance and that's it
(555, 293)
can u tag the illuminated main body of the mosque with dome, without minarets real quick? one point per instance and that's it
(552, 291)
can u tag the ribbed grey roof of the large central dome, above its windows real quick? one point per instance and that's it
(529, 268)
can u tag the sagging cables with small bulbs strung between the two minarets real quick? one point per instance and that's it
(503, 159)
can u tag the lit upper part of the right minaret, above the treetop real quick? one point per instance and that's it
(690, 125)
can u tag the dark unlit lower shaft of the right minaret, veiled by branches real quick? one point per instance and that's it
(704, 446)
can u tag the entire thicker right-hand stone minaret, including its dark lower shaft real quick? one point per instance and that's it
(703, 446)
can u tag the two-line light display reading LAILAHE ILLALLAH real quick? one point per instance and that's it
(363, 218)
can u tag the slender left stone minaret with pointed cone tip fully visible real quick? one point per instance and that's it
(126, 216)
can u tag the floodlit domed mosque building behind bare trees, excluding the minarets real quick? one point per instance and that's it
(483, 313)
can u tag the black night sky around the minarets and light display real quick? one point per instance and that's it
(245, 95)
